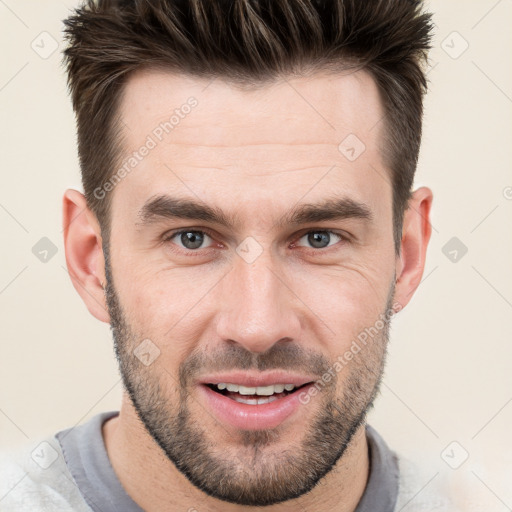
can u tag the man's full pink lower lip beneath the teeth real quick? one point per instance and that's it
(252, 417)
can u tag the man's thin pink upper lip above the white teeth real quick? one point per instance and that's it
(255, 379)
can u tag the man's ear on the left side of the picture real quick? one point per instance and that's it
(84, 253)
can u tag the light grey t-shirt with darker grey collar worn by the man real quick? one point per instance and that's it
(71, 471)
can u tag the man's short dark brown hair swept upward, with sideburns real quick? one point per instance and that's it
(247, 42)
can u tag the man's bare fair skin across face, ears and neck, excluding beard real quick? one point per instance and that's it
(256, 153)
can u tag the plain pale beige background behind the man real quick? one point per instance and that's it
(449, 370)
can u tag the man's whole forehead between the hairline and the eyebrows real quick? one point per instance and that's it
(211, 139)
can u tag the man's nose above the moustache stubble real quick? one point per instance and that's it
(257, 307)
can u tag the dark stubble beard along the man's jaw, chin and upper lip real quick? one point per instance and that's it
(255, 471)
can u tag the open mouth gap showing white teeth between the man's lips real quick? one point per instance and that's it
(255, 395)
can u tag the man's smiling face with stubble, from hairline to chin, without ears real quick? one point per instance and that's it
(264, 294)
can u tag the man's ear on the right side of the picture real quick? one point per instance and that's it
(415, 237)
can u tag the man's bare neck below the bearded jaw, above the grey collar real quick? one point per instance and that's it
(156, 485)
